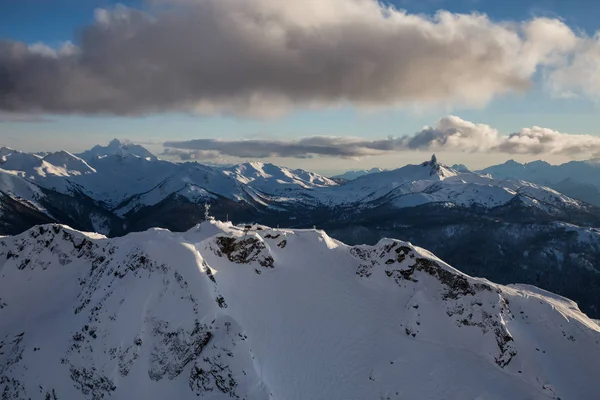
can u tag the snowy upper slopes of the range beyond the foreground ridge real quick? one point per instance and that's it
(125, 177)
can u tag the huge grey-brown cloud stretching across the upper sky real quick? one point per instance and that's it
(263, 57)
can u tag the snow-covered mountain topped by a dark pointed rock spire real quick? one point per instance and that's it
(433, 182)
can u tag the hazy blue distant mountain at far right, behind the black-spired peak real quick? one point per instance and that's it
(578, 179)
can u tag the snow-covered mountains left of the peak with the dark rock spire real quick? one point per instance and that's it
(124, 177)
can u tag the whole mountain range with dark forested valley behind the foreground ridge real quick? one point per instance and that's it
(507, 230)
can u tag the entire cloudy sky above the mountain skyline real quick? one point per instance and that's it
(322, 85)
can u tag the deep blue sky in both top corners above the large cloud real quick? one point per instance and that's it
(53, 21)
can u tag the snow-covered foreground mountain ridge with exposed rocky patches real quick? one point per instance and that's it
(258, 313)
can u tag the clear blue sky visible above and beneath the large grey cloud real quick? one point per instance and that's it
(53, 22)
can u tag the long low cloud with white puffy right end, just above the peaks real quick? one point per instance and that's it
(450, 134)
